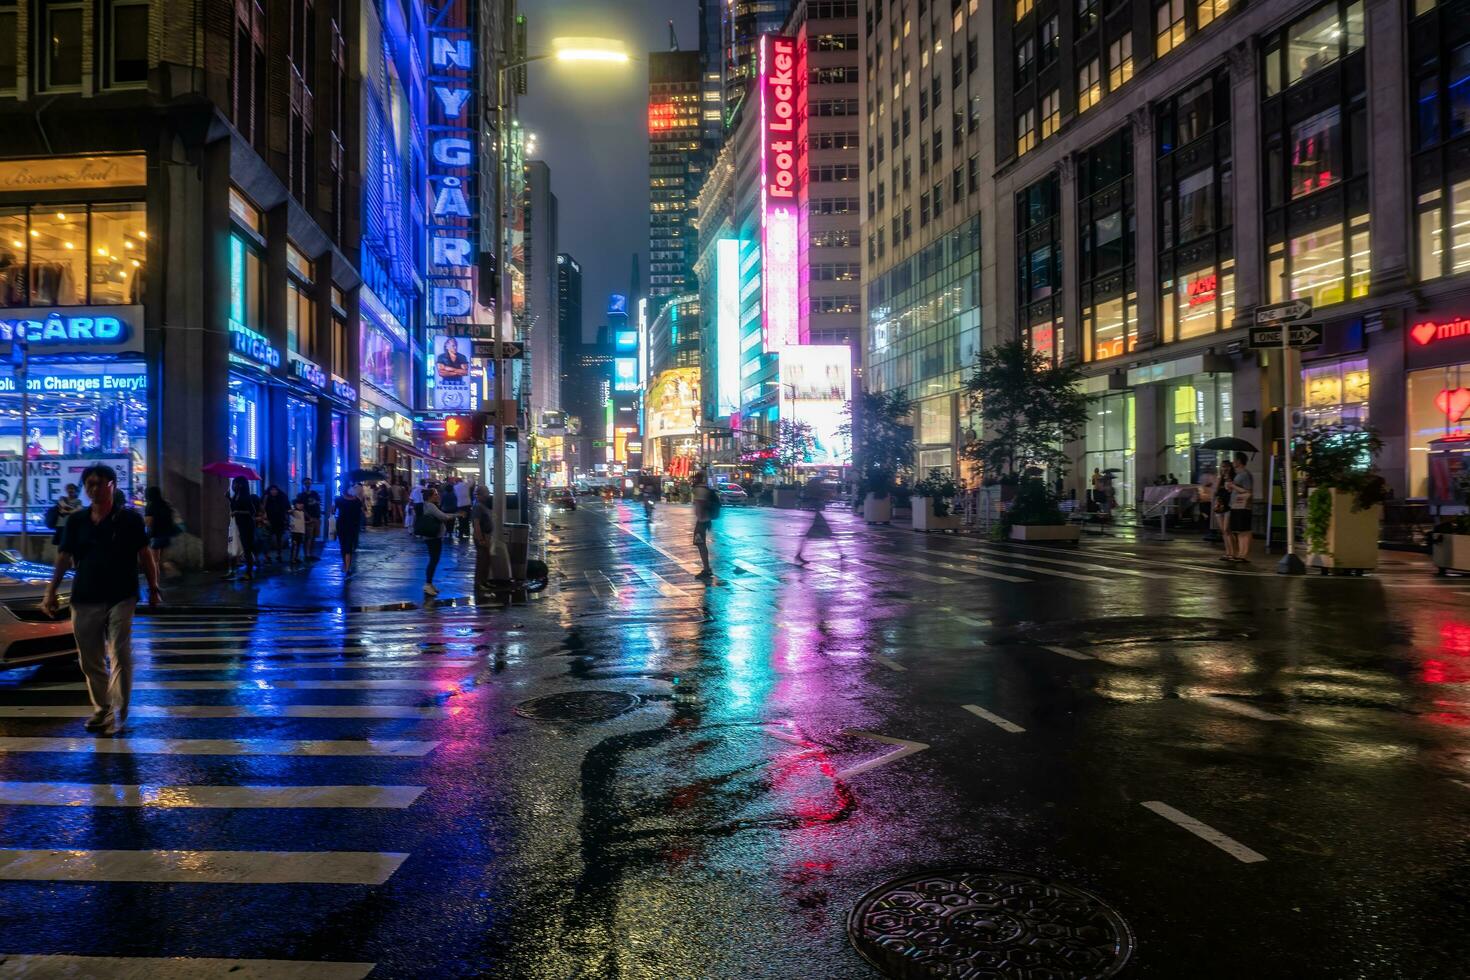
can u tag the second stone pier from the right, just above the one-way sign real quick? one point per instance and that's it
(1250, 190)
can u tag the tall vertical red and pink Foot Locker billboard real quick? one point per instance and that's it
(780, 86)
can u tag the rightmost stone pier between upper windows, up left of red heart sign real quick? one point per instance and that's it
(1388, 137)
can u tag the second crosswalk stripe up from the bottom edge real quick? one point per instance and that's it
(202, 868)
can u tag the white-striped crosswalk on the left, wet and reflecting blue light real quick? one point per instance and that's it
(226, 715)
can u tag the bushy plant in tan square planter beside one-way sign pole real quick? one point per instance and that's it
(1346, 497)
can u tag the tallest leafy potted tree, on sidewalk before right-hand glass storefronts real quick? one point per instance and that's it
(1031, 409)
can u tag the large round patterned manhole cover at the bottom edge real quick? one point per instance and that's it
(971, 923)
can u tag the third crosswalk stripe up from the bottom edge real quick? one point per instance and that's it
(23, 794)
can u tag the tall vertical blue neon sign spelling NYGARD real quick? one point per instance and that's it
(452, 161)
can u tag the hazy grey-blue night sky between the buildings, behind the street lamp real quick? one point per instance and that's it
(590, 124)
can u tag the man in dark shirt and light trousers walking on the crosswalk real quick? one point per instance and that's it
(107, 544)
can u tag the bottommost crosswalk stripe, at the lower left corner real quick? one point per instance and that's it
(65, 968)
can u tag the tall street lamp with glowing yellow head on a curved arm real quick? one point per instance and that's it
(564, 49)
